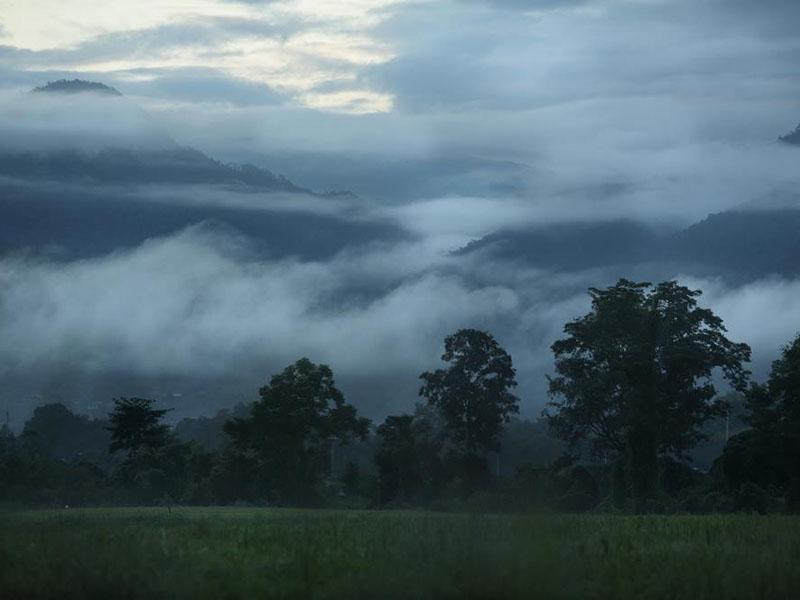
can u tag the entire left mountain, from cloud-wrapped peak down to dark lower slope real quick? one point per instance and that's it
(77, 185)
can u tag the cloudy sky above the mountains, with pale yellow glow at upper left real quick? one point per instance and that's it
(413, 99)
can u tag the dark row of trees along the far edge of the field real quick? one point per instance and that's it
(632, 393)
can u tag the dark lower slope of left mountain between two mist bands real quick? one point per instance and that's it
(73, 221)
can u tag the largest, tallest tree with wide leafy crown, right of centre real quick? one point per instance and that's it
(633, 377)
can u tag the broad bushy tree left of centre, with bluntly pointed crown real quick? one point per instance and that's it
(291, 429)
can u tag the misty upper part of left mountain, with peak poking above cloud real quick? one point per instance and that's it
(107, 153)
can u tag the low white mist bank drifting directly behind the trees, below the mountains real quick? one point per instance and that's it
(203, 305)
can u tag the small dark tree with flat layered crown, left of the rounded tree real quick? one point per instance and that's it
(135, 425)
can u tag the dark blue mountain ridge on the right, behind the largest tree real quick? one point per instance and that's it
(739, 245)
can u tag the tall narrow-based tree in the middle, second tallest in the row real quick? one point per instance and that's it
(473, 393)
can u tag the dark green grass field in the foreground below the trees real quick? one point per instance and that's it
(253, 553)
